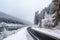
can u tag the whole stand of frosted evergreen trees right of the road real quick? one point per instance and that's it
(49, 17)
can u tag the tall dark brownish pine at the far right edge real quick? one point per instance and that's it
(56, 12)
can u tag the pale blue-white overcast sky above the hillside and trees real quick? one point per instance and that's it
(24, 9)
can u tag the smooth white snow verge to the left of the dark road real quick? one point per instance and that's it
(20, 35)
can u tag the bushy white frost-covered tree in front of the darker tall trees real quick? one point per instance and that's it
(48, 21)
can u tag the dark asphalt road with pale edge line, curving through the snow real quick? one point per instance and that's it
(40, 36)
